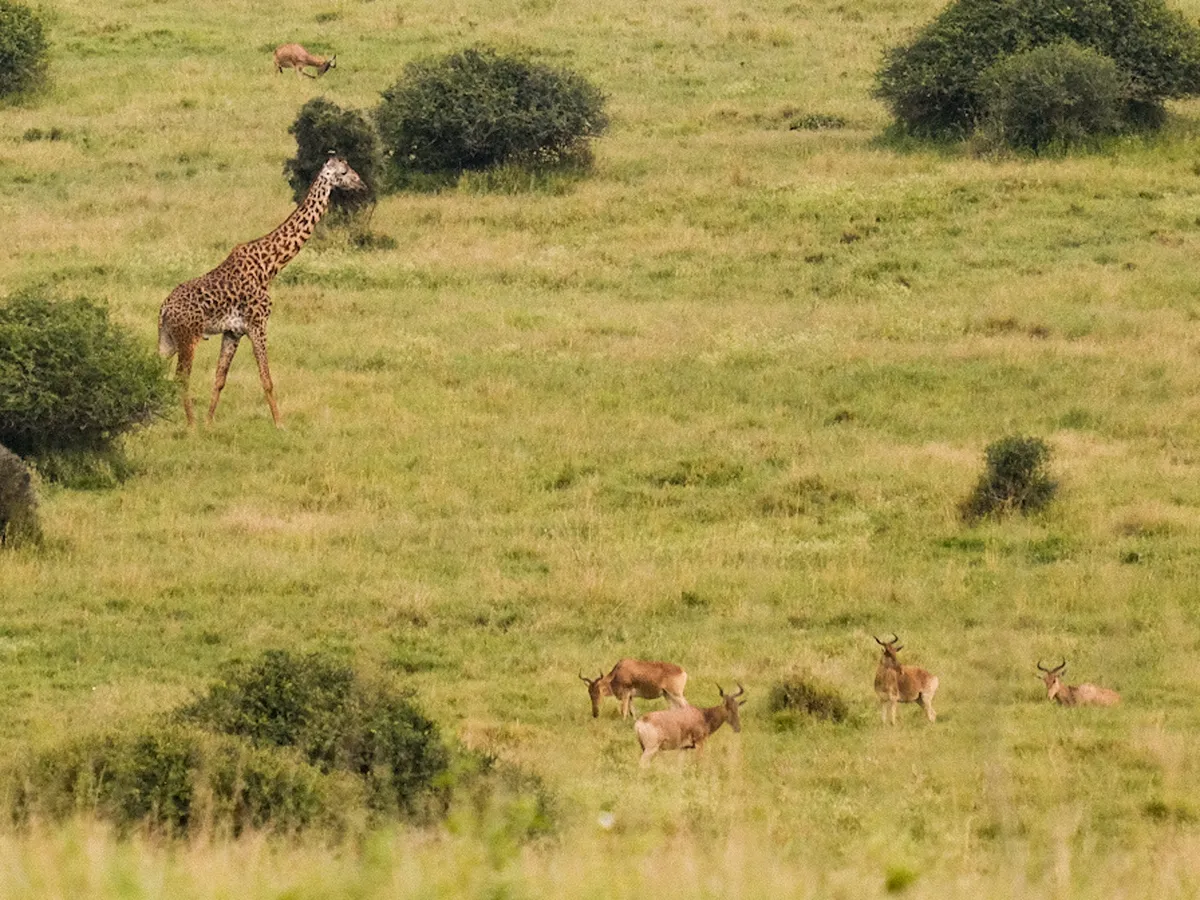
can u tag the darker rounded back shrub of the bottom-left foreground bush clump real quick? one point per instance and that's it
(337, 722)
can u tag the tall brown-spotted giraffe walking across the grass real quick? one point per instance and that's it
(233, 301)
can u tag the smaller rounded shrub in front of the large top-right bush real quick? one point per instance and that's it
(1055, 95)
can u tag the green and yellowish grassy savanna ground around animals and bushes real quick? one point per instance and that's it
(717, 404)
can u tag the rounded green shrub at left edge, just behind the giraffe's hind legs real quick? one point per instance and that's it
(70, 380)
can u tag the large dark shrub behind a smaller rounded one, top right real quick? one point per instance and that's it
(933, 85)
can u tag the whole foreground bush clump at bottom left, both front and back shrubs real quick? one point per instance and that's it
(284, 742)
